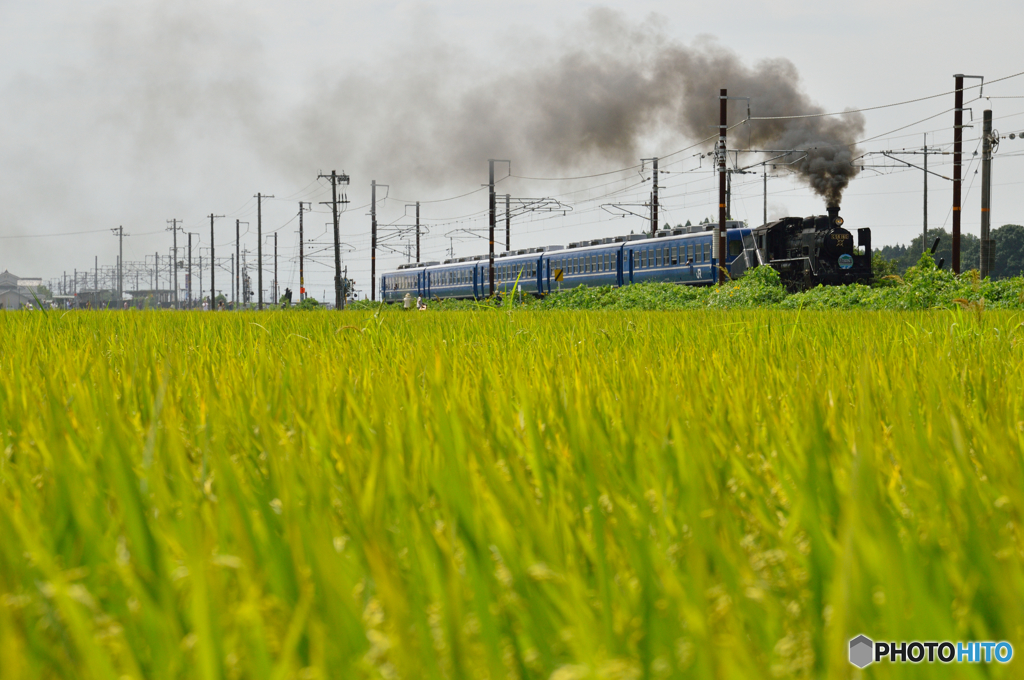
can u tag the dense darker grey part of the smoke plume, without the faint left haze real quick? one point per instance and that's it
(607, 93)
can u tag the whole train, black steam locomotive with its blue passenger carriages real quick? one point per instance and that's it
(806, 251)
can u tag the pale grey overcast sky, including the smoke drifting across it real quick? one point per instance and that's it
(138, 113)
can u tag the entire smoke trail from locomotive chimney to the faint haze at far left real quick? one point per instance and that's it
(424, 114)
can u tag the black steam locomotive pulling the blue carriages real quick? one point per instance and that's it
(808, 251)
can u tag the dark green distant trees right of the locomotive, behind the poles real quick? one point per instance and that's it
(1009, 252)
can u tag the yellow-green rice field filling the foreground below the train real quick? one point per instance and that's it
(507, 495)
